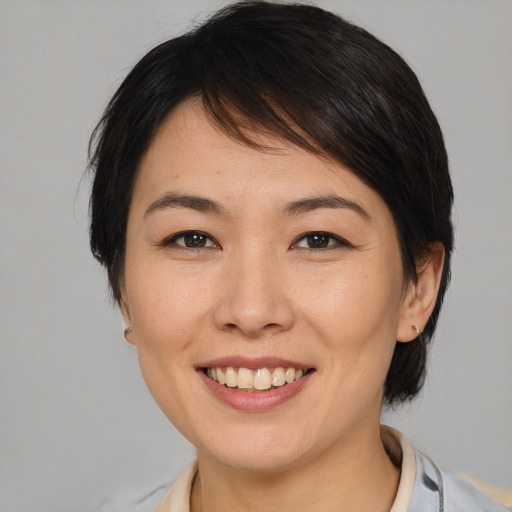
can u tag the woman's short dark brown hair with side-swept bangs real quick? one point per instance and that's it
(307, 76)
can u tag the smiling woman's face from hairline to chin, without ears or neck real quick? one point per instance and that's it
(261, 264)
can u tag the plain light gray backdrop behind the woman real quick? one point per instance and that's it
(78, 430)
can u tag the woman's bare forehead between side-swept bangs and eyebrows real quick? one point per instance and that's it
(189, 154)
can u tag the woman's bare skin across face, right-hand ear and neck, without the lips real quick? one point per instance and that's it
(257, 289)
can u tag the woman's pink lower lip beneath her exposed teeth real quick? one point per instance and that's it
(255, 401)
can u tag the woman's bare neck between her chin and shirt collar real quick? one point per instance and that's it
(357, 475)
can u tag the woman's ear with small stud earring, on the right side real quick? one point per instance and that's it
(421, 295)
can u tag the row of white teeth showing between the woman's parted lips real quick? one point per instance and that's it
(262, 379)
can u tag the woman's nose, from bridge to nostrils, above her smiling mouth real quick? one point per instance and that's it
(252, 297)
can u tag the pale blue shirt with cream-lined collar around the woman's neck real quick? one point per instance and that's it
(423, 487)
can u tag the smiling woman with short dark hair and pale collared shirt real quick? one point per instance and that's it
(272, 204)
